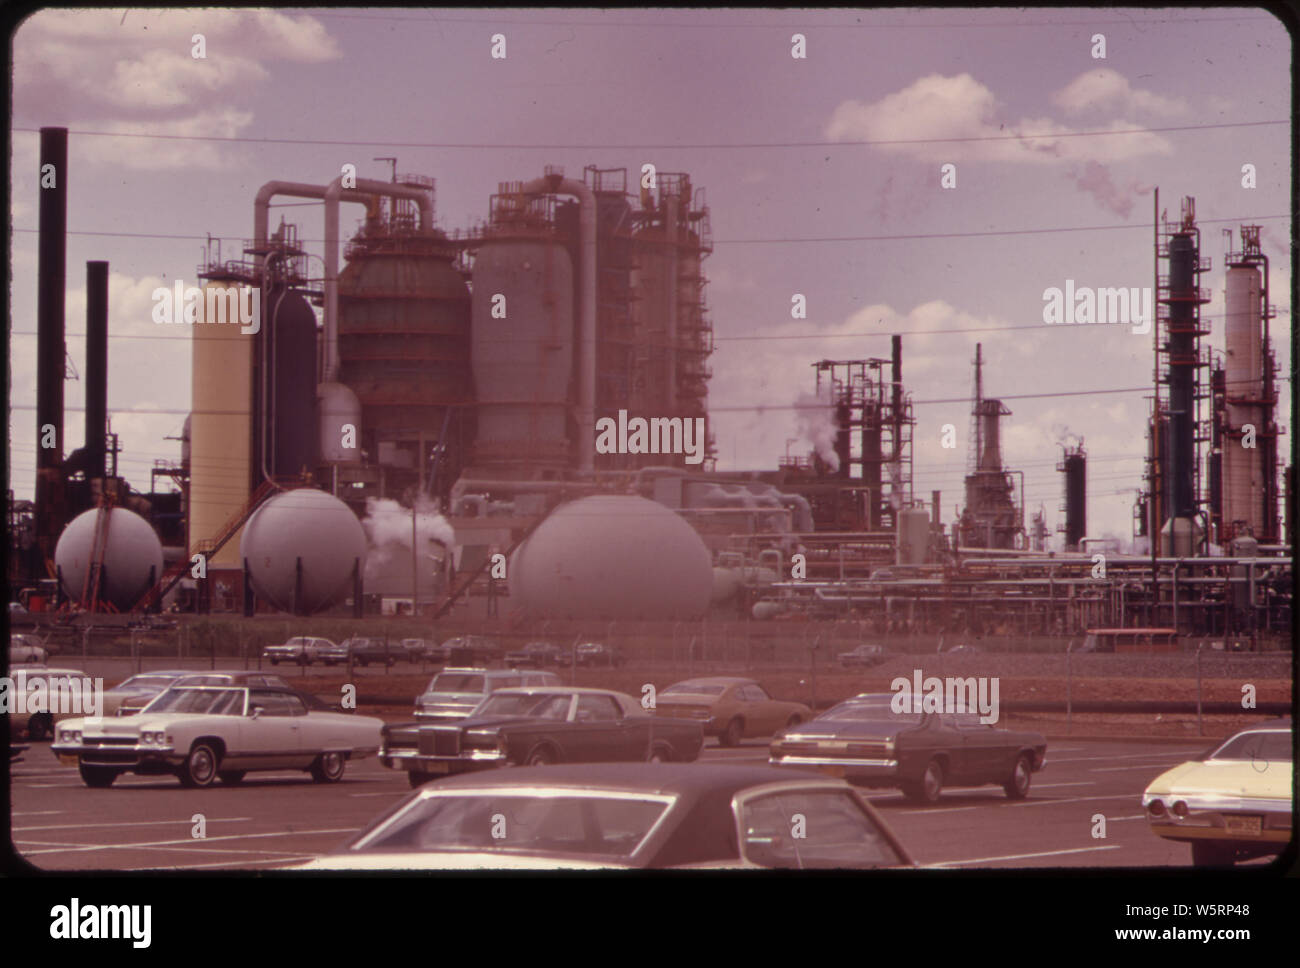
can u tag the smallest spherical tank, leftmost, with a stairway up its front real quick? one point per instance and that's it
(133, 557)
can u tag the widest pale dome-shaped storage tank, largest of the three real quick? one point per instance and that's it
(613, 558)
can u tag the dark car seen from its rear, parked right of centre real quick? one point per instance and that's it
(866, 743)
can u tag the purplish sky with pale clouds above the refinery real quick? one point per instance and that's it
(824, 175)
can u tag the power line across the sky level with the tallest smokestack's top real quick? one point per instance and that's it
(716, 146)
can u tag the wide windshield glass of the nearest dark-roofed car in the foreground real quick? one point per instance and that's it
(574, 824)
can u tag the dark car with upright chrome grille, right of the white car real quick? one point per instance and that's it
(540, 726)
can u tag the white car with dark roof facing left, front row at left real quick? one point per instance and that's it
(203, 733)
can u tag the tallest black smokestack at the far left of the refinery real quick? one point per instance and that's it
(51, 277)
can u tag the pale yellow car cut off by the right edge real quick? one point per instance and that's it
(1233, 804)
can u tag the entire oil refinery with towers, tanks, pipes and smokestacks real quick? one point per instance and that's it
(448, 388)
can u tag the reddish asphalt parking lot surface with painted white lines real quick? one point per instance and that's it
(276, 819)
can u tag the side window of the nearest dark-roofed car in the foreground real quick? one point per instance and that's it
(831, 831)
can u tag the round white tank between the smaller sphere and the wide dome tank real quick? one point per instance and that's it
(306, 526)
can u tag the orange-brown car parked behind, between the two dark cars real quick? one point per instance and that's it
(730, 707)
